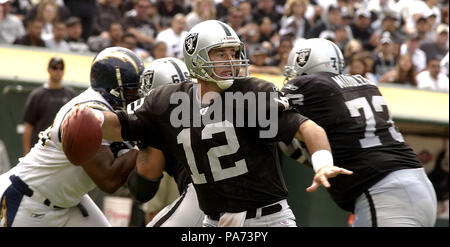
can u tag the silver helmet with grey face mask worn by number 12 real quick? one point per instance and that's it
(209, 35)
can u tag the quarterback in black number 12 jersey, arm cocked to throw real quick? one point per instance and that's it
(233, 164)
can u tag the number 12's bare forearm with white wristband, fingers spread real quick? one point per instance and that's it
(316, 141)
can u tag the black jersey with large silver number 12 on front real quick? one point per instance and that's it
(232, 165)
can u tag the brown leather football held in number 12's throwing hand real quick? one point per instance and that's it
(81, 135)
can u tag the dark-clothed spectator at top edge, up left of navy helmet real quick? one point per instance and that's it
(106, 13)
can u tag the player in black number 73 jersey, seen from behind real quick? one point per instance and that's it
(389, 187)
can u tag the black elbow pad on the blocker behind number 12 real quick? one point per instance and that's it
(143, 189)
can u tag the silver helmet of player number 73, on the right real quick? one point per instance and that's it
(312, 56)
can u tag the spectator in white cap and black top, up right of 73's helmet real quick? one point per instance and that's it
(361, 28)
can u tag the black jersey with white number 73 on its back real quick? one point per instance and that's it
(360, 130)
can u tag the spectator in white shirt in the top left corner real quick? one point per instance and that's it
(11, 27)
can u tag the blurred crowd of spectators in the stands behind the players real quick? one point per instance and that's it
(388, 41)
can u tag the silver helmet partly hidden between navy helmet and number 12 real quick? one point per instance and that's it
(161, 72)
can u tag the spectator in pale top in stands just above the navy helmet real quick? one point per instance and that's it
(140, 25)
